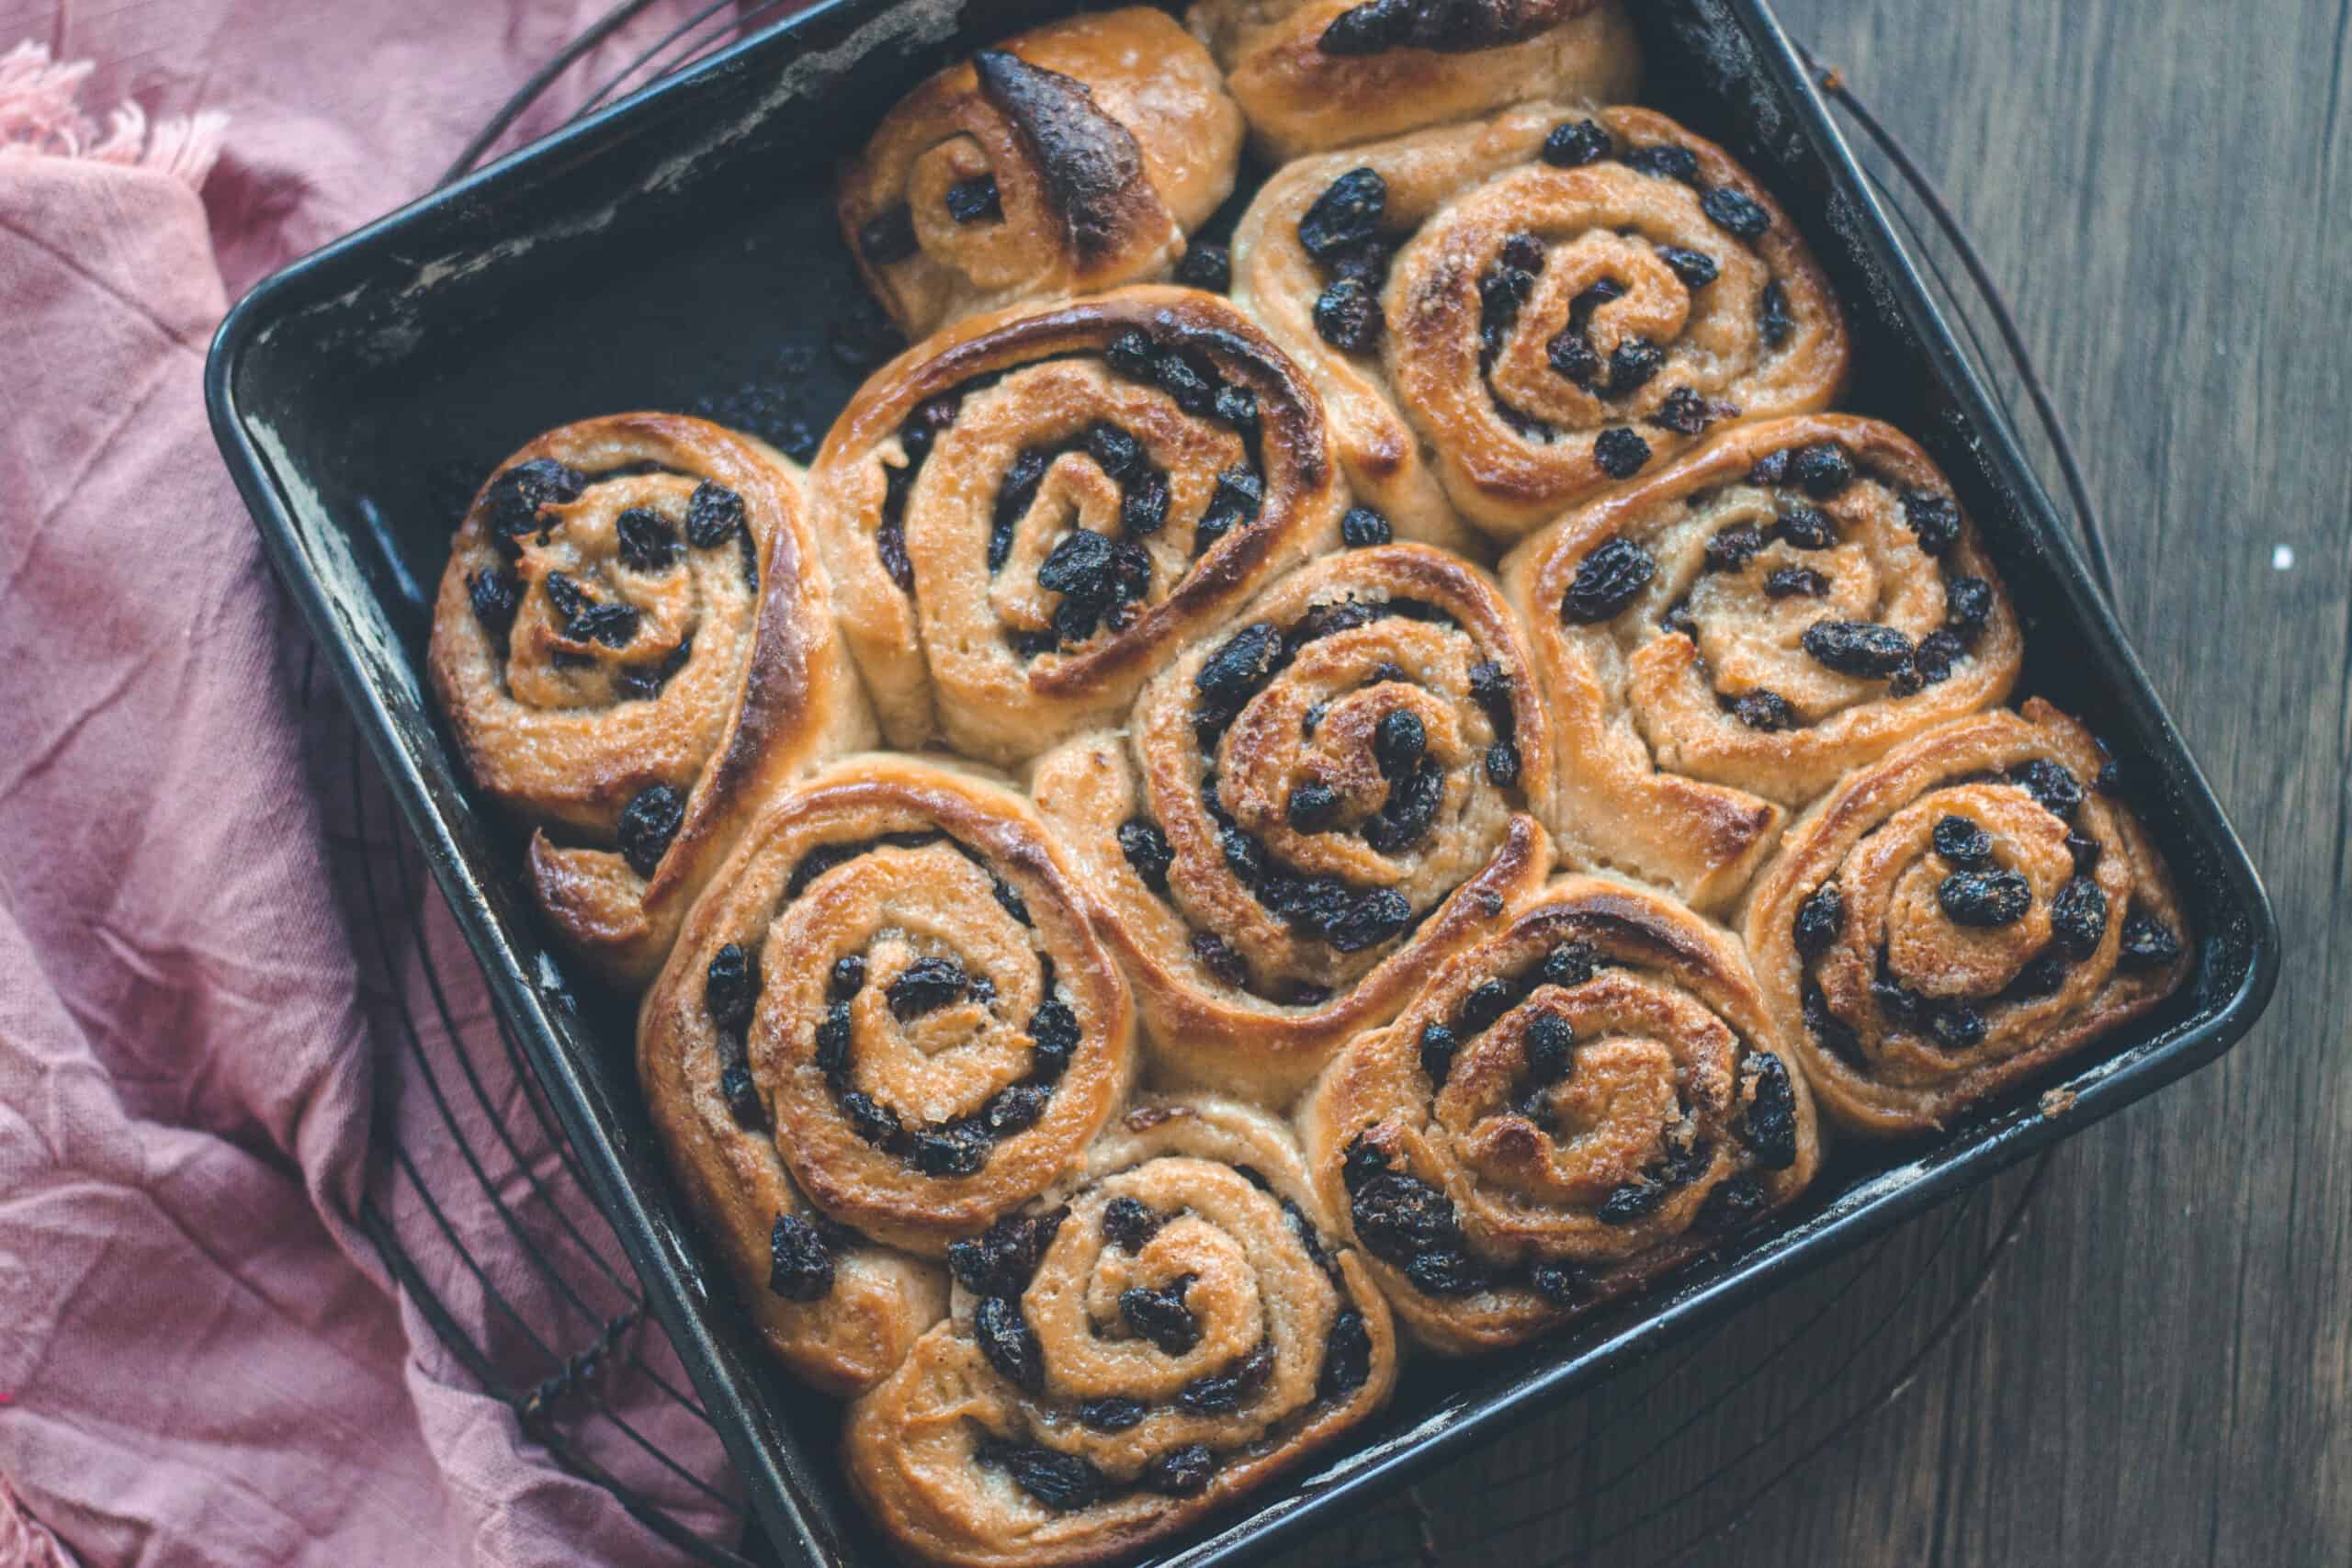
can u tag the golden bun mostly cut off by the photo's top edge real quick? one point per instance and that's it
(1302, 98)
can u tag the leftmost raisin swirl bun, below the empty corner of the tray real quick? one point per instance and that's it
(634, 643)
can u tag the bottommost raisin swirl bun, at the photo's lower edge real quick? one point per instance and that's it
(1182, 1329)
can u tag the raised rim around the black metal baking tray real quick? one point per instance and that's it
(1372, 1470)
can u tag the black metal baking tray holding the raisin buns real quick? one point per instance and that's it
(679, 253)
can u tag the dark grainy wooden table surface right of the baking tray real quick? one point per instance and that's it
(2160, 1367)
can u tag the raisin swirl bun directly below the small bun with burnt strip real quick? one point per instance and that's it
(1029, 511)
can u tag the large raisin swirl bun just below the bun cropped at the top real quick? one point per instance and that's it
(1521, 314)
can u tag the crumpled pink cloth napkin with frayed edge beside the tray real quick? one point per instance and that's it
(201, 1355)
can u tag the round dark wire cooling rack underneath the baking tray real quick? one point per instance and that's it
(559, 1304)
